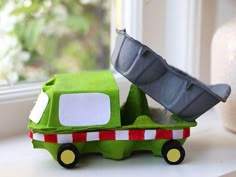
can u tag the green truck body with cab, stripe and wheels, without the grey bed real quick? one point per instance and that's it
(80, 113)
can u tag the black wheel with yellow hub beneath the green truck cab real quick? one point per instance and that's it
(68, 156)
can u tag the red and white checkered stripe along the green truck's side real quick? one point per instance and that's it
(136, 134)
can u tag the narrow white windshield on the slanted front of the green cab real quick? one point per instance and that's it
(39, 107)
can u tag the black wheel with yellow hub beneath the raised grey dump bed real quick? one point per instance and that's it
(173, 152)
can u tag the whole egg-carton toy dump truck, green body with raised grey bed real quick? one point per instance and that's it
(80, 113)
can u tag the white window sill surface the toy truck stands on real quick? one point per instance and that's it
(205, 154)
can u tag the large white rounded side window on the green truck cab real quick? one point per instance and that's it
(84, 109)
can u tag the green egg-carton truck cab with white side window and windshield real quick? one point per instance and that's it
(84, 101)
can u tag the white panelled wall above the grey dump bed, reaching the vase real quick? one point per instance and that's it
(168, 31)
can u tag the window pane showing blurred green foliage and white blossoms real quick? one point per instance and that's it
(41, 38)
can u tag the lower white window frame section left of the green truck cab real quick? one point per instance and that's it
(15, 105)
